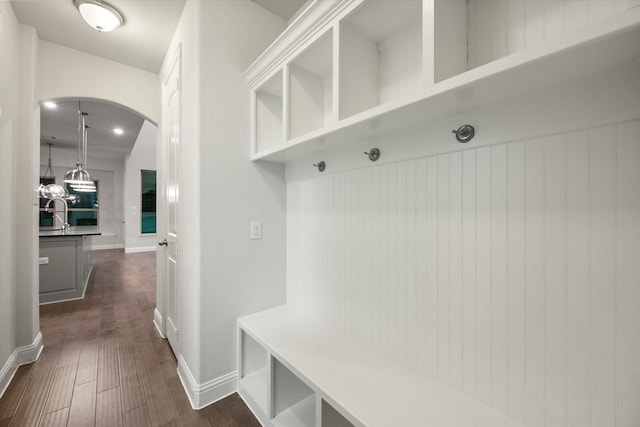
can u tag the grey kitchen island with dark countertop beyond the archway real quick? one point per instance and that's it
(65, 262)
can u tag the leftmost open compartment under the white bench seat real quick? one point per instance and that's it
(254, 372)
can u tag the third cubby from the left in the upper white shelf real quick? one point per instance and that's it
(380, 54)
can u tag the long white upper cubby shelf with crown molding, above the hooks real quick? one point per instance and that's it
(349, 70)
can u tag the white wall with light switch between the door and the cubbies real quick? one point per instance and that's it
(239, 275)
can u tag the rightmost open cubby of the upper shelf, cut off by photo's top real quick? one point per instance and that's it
(472, 33)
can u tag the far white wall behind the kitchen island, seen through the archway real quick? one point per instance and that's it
(109, 173)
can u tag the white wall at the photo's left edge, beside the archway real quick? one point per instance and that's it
(19, 124)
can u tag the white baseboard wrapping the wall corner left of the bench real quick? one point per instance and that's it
(201, 395)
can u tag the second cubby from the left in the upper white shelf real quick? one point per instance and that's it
(311, 88)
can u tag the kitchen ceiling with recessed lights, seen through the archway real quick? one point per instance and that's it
(60, 126)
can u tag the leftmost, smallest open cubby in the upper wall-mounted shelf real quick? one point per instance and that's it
(269, 125)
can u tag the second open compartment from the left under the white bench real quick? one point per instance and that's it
(293, 402)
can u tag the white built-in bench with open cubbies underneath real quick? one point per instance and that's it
(320, 377)
